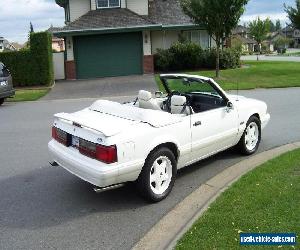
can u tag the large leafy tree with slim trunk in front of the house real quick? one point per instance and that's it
(217, 17)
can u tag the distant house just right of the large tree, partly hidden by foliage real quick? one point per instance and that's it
(242, 34)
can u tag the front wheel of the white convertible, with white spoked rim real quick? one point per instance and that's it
(251, 137)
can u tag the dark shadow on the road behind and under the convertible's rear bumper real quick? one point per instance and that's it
(50, 196)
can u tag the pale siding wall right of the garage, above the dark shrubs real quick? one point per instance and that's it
(163, 39)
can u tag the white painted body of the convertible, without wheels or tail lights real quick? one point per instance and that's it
(136, 132)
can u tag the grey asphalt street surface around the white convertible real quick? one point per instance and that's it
(47, 207)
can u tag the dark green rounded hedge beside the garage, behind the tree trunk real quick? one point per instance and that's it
(190, 56)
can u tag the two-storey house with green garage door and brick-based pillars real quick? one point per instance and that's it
(120, 37)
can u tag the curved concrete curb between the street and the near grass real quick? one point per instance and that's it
(174, 224)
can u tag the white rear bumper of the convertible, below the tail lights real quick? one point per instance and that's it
(93, 171)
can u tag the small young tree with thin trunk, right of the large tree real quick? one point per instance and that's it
(259, 30)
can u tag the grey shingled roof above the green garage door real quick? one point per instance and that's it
(162, 14)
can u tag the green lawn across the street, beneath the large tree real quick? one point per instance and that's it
(260, 74)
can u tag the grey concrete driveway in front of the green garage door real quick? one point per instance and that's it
(97, 88)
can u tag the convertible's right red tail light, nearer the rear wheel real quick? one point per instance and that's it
(107, 154)
